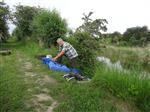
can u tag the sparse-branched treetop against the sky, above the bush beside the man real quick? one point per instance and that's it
(93, 27)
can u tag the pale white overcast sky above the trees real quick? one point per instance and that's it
(120, 14)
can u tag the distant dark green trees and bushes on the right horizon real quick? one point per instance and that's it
(134, 36)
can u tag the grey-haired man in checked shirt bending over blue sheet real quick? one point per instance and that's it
(68, 50)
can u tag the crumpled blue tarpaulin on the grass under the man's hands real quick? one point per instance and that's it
(57, 66)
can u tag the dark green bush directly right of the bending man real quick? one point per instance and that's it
(86, 48)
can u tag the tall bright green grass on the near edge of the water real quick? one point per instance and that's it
(126, 85)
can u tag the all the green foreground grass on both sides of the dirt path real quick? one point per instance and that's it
(71, 97)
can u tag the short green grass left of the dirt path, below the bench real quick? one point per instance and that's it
(11, 84)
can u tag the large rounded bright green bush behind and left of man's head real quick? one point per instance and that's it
(48, 26)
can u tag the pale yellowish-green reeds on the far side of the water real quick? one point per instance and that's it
(128, 57)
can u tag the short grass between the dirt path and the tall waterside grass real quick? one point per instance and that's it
(73, 96)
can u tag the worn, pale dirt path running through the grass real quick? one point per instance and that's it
(38, 99)
